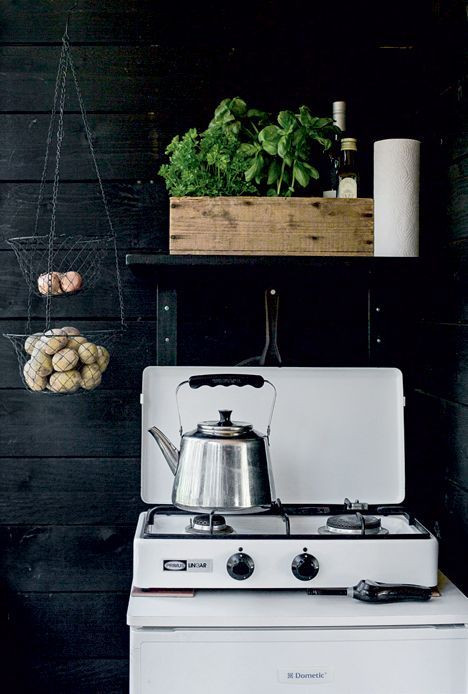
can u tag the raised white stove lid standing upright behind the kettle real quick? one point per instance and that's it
(336, 432)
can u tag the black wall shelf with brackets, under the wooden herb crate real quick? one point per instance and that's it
(170, 273)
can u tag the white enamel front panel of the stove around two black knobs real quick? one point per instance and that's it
(342, 562)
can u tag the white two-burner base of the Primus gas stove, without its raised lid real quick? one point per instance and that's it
(315, 547)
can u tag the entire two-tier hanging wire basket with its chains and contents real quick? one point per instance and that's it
(61, 360)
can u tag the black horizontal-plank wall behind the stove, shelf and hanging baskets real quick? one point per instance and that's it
(70, 467)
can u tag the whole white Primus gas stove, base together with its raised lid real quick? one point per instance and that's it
(336, 432)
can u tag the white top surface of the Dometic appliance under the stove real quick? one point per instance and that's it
(283, 609)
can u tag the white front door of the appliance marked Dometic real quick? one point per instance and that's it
(356, 661)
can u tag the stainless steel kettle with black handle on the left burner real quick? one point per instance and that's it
(222, 465)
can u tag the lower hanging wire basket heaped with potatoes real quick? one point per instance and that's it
(62, 361)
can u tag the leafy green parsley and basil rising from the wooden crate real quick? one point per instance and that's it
(244, 153)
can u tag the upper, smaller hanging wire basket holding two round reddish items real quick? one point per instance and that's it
(76, 262)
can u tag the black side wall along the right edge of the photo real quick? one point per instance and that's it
(441, 383)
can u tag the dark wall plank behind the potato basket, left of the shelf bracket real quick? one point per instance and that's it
(129, 354)
